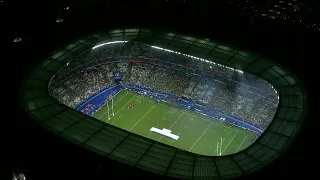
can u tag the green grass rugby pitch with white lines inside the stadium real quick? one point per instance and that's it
(197, 133)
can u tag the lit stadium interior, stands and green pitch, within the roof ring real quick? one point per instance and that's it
(226, 91)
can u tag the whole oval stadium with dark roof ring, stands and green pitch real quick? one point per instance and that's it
(169, 103)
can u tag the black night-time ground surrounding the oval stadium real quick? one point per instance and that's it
(42, 155)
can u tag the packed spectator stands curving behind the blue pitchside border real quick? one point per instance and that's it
(241, 95)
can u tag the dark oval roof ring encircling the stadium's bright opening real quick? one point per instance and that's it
(153, 156)
